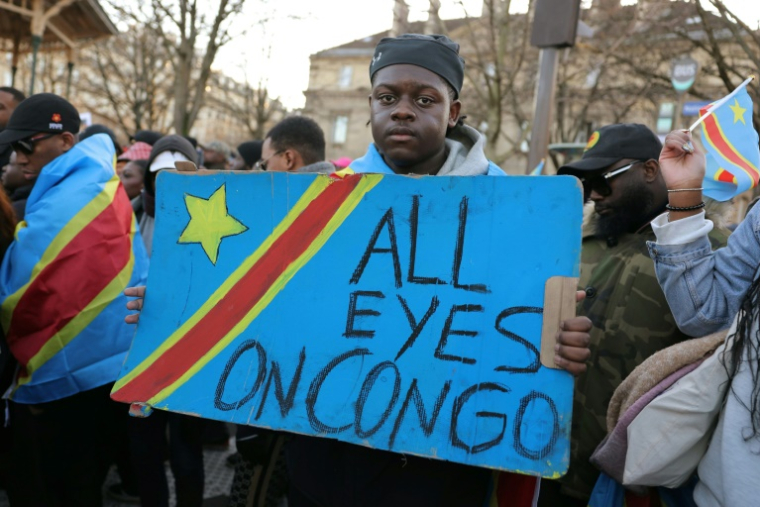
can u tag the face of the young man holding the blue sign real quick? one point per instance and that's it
(411, 110)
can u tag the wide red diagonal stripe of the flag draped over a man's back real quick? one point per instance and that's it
(83, 268)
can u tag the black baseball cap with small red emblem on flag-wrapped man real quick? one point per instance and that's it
(43, 112)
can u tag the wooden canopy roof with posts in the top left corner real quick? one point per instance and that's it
(60, 25)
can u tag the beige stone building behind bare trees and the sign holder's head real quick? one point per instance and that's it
(617, 72)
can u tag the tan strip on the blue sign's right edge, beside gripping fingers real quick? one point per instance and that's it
(559, 305)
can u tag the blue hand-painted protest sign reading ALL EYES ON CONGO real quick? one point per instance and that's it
(392, 312)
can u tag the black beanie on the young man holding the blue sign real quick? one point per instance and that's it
(436, 53)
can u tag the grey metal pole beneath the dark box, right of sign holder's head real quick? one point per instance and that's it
(545, 91)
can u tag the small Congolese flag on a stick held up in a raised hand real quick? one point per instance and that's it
(733, 156)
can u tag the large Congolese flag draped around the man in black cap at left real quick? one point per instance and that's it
(62, 279)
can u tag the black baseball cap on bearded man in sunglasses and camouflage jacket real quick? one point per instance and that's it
(613, 143)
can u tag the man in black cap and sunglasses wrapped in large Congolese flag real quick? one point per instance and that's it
(62, 307)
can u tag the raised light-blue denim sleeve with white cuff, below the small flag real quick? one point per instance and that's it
(705, 288)
